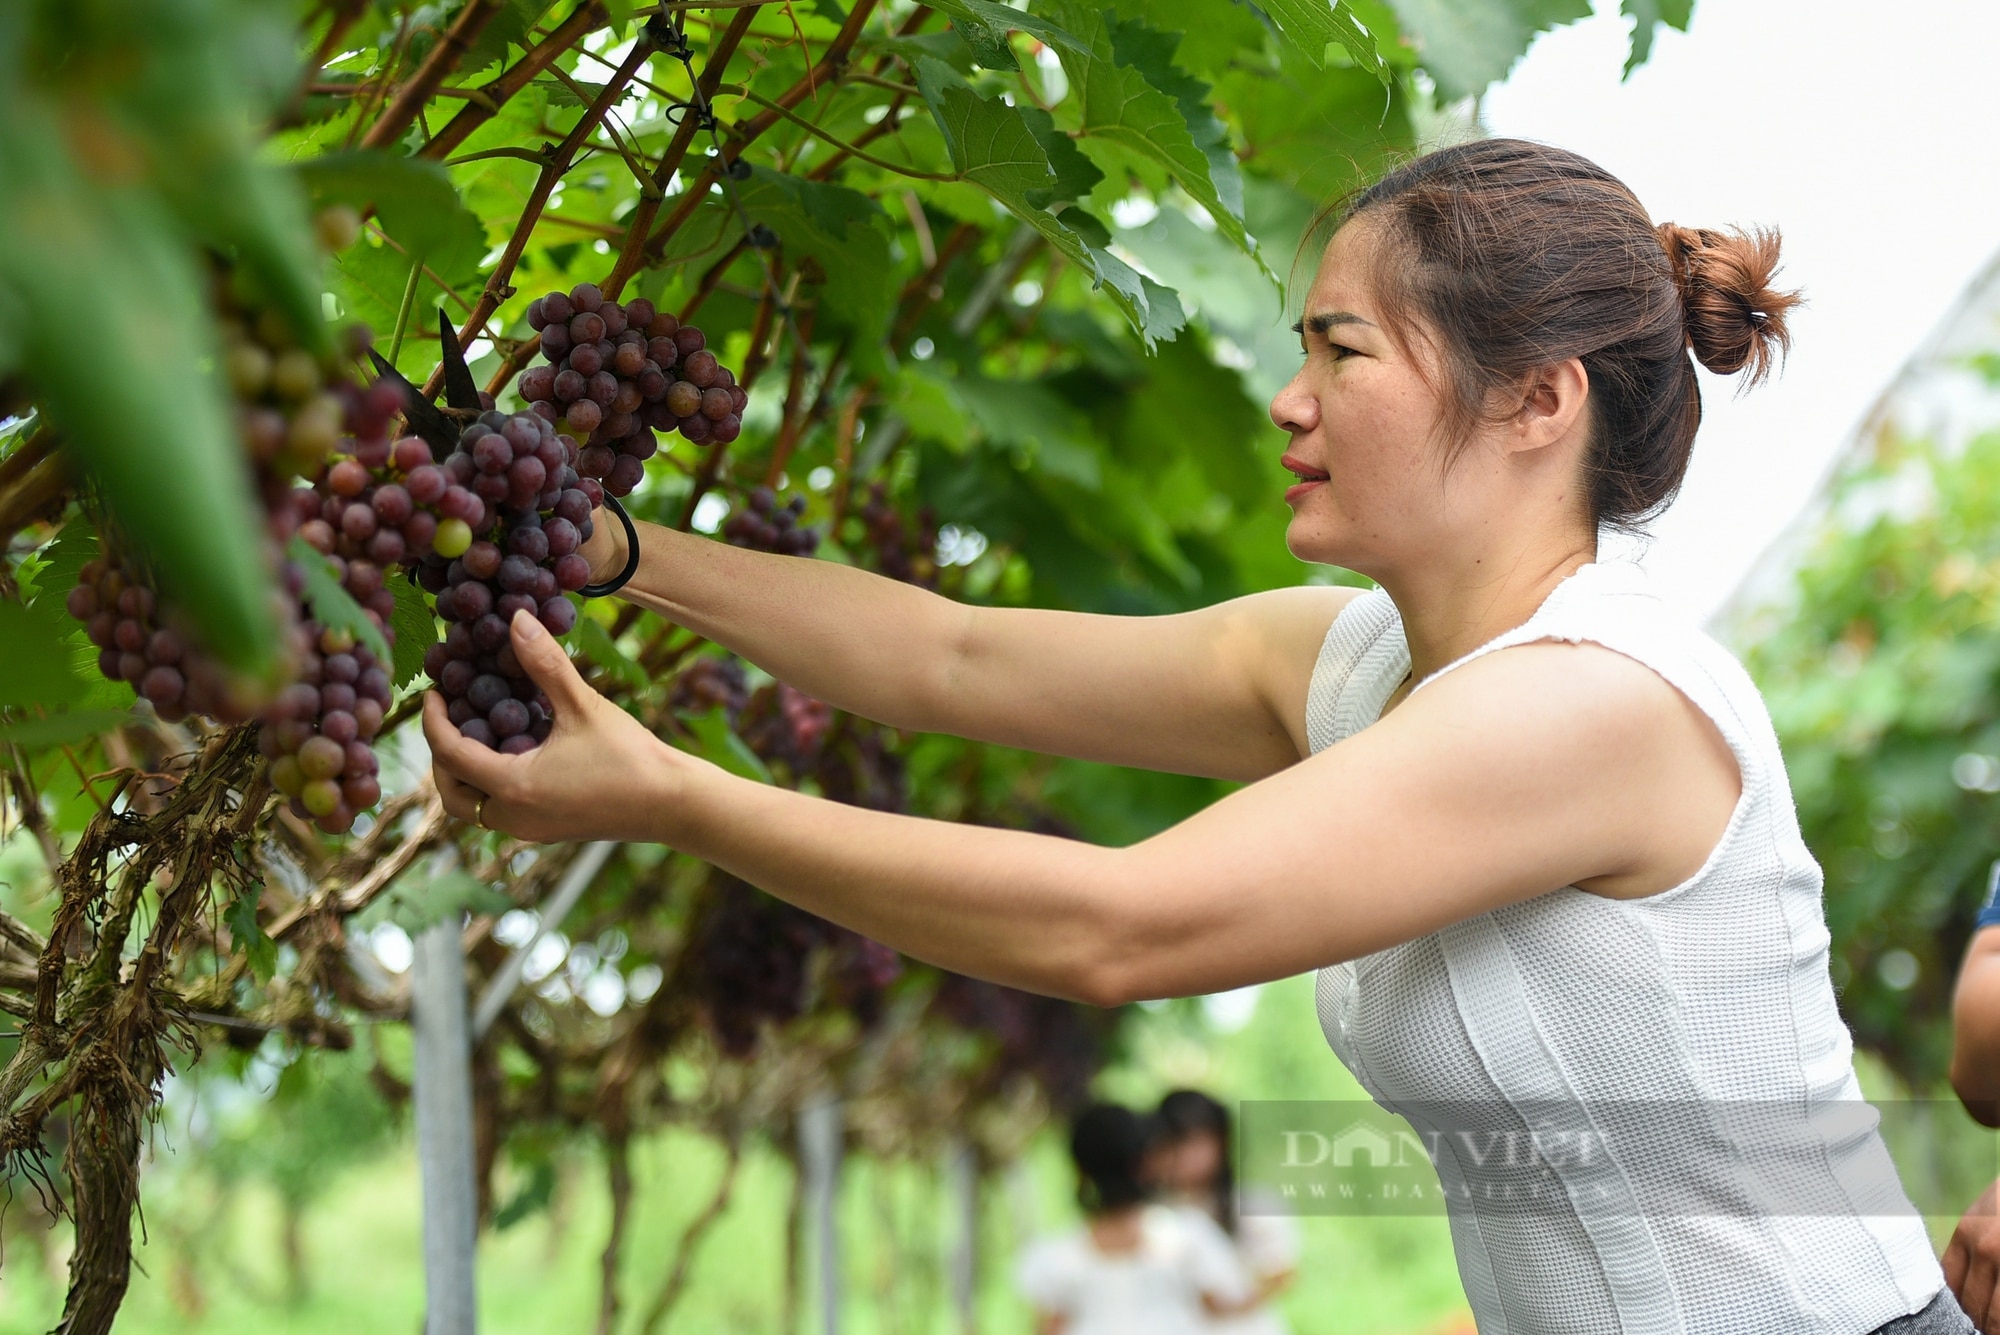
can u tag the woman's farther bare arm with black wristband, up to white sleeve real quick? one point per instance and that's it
(1215, 692)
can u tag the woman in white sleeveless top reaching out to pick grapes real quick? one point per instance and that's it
(1533, 830)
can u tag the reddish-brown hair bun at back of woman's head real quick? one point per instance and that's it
(1735, 317)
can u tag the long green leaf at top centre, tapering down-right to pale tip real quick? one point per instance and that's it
(997, 149)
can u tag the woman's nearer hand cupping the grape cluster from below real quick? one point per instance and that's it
(599, 774)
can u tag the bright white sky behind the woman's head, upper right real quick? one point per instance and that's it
(1869, 135)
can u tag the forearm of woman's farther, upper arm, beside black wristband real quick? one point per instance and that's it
(861, 643)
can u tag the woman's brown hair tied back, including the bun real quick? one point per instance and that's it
(1519, 257)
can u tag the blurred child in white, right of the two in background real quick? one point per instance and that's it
(1193, 1162)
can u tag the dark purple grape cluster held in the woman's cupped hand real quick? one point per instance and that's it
(509, 547)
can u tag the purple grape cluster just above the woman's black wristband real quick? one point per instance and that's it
(617, 375)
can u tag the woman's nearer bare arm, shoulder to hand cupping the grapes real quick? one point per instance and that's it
(1529, 770)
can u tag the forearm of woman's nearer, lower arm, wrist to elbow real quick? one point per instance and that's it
(1027, 910)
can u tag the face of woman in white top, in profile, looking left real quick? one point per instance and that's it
(1365, 425)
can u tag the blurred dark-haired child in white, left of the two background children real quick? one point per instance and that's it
(1137, 1266)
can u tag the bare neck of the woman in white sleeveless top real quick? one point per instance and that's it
(1453, 607)
